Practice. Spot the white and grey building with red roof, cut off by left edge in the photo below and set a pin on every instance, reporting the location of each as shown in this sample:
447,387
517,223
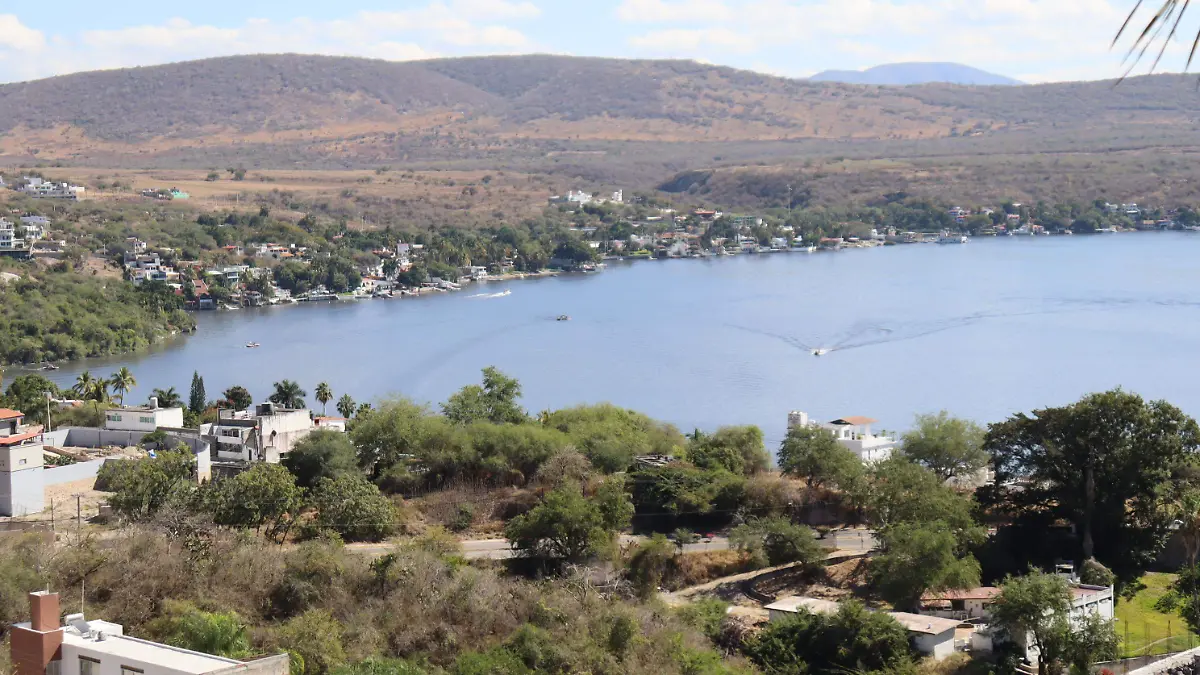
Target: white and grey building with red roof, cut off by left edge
21,465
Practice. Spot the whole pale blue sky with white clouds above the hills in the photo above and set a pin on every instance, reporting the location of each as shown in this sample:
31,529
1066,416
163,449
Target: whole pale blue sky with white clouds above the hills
1031,40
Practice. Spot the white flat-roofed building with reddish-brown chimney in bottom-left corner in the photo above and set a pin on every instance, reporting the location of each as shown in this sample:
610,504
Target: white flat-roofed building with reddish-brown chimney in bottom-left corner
47,646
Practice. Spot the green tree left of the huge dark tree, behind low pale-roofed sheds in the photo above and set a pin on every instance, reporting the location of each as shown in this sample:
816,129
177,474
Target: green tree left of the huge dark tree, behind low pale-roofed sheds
919,558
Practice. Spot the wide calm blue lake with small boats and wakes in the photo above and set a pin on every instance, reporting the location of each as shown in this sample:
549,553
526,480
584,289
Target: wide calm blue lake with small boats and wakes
982,330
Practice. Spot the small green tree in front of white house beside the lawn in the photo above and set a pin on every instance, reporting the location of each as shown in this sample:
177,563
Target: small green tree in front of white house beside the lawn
1035,607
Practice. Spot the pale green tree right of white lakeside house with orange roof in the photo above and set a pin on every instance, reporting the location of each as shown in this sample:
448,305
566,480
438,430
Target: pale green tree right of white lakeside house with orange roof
949,446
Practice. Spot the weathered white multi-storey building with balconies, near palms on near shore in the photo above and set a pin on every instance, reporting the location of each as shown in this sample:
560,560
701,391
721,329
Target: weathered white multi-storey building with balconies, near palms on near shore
266,433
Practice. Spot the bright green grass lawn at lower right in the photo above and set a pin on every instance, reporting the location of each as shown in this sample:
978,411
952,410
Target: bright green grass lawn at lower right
1144,630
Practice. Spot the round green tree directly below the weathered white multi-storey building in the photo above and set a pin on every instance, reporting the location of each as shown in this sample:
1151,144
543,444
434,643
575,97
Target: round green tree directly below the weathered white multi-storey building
266,498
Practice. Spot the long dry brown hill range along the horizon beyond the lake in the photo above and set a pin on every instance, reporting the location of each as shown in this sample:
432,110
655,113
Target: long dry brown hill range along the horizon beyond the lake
597,120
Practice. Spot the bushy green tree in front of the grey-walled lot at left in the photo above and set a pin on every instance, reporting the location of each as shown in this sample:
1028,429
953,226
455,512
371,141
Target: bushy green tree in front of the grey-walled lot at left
141,488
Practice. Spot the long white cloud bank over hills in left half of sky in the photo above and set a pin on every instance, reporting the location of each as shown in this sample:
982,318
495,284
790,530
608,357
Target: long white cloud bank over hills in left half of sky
458,27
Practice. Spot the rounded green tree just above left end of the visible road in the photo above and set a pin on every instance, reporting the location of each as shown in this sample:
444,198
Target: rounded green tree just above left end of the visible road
352,507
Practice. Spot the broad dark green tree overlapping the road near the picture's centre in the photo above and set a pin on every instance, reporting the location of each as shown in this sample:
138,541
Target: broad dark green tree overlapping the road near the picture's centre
568,527
